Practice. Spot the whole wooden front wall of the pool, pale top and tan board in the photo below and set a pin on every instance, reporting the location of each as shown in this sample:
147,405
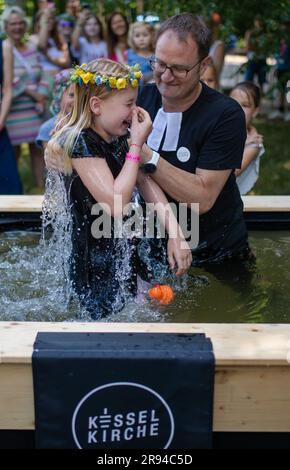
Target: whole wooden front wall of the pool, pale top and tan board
252,378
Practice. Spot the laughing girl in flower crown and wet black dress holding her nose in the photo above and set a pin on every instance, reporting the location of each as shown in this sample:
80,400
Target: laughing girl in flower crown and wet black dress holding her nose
104,168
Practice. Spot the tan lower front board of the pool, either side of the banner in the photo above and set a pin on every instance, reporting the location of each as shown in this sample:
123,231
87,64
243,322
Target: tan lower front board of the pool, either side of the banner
246,399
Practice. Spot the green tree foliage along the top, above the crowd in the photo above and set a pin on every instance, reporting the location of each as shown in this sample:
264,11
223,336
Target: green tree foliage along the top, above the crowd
237,16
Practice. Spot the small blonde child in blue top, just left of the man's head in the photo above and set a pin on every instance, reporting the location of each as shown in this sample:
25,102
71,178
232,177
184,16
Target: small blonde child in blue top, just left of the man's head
141,43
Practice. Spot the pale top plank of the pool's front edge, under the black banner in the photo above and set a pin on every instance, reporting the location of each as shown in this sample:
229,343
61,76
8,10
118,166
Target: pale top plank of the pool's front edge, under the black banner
238,344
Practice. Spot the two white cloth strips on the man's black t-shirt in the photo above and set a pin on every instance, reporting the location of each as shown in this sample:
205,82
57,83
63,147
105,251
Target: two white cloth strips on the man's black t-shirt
172,123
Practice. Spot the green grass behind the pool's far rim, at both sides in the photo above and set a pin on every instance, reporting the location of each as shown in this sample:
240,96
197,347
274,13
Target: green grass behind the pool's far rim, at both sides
275,163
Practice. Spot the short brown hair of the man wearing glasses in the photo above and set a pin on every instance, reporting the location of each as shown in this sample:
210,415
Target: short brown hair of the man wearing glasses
188,24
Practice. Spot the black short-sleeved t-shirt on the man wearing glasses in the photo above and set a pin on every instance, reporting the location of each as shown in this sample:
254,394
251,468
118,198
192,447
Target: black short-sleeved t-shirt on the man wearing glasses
212,135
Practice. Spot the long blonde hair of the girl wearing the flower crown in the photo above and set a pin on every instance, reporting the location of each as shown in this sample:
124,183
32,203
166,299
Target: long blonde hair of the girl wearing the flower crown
81,116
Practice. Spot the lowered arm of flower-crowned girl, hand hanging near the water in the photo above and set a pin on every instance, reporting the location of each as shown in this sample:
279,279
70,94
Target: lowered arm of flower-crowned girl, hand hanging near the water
179,253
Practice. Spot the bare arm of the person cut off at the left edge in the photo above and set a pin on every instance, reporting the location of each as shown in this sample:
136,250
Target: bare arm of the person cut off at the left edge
7,84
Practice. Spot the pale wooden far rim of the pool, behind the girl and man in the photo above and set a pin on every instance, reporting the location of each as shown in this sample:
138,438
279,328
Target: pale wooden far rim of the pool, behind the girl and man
251,203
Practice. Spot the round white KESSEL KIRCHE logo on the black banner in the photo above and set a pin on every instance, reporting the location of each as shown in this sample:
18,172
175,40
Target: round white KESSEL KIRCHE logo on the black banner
122,415
